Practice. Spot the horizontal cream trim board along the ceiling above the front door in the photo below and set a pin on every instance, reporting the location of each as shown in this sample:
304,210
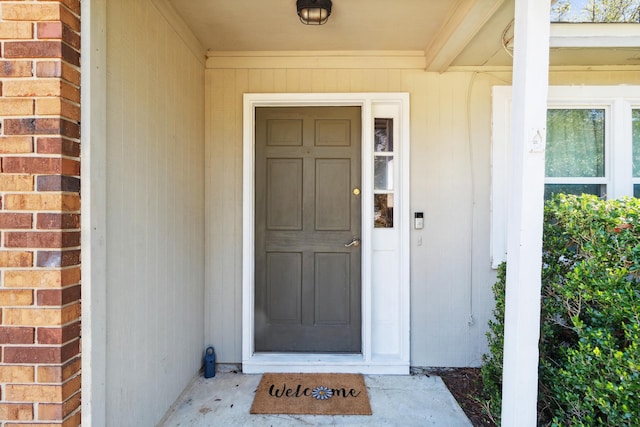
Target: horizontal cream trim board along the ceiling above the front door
316,59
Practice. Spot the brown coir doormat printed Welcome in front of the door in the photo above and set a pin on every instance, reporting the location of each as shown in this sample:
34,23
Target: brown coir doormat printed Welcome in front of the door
314,394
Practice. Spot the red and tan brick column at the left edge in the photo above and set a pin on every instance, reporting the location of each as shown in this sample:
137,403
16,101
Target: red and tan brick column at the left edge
40,212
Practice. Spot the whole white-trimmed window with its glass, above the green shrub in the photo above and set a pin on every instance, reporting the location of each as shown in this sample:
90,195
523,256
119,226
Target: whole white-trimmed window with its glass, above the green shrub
593,147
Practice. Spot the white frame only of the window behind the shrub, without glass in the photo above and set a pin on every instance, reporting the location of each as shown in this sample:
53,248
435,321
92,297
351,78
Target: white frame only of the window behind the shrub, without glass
617,101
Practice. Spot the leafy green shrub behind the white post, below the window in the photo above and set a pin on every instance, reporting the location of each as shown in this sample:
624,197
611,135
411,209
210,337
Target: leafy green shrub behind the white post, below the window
590,319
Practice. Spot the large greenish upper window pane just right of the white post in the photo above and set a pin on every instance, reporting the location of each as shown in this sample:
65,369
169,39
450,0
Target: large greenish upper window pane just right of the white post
575,143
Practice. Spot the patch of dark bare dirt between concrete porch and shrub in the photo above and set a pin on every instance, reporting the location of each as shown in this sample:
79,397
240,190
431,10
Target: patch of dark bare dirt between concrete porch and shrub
466,385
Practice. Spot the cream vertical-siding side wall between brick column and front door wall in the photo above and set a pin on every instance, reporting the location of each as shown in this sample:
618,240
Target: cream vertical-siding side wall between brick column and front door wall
154,288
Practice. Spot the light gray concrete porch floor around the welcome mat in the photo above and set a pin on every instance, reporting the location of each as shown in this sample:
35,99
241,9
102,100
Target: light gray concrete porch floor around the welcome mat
412,400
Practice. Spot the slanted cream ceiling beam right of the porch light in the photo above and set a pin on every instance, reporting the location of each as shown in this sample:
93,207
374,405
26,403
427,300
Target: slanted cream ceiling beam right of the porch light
467,19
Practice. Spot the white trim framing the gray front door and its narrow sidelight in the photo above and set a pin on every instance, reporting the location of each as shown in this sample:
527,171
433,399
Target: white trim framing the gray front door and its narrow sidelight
385,336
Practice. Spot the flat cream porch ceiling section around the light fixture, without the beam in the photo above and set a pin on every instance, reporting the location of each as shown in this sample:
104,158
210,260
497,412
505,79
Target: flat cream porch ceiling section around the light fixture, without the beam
267,25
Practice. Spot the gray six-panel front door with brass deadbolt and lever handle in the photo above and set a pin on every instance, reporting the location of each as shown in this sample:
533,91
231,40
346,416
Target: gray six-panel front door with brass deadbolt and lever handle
307,281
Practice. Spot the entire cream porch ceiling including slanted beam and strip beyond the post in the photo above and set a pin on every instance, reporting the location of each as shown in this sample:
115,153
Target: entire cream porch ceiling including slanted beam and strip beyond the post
450,32
